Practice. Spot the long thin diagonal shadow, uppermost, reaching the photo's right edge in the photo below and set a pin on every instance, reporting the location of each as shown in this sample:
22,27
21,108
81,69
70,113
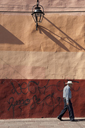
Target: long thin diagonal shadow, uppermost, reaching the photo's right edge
71,41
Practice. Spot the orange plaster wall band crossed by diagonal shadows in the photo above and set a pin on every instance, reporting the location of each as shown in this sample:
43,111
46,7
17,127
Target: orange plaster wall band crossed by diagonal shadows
57,33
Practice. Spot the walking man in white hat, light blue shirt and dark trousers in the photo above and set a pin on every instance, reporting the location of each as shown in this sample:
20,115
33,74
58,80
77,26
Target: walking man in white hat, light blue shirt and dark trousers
67,102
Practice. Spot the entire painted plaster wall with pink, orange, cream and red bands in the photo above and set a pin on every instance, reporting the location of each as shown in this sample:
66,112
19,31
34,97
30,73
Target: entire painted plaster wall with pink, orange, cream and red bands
35,65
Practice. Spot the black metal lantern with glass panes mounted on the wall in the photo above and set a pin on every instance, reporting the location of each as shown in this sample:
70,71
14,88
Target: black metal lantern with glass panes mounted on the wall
37,13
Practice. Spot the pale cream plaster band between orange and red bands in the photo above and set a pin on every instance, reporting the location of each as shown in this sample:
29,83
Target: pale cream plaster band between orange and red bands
42,65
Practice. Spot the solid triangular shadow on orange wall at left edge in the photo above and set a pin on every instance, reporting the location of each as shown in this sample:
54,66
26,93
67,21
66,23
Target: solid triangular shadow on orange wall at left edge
7,37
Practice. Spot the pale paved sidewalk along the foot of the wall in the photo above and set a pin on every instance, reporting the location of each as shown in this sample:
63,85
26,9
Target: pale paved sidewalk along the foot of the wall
42,123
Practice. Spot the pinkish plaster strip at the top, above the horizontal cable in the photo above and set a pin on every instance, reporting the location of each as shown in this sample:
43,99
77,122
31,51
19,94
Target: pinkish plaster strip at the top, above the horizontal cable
49,5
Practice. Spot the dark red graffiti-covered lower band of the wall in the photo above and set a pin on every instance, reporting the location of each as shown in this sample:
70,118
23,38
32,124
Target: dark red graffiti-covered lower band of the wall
38,98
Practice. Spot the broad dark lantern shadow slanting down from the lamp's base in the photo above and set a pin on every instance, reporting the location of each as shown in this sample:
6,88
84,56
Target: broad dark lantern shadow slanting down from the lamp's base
42,29
